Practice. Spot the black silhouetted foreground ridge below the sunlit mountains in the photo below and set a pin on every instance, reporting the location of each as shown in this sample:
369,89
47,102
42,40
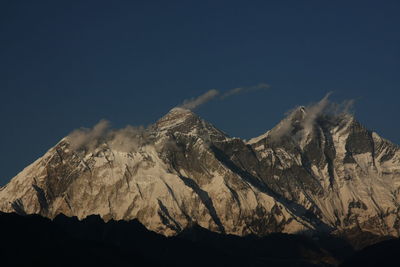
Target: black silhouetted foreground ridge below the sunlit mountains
36,241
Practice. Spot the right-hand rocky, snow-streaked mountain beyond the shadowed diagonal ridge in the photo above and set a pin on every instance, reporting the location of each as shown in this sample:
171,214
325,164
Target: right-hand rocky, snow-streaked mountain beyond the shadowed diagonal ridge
343,173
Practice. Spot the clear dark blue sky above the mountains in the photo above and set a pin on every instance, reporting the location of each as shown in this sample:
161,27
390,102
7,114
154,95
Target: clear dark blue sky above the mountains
67,64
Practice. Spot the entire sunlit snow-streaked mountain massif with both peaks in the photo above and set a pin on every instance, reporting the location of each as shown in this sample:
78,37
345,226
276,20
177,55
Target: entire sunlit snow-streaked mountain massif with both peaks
334,176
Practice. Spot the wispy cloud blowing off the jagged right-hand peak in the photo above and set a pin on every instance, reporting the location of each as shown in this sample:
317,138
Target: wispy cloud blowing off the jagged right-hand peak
307,116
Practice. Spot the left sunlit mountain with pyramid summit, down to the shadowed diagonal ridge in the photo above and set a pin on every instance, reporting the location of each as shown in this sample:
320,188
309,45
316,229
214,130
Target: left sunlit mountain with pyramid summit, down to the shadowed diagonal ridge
168,185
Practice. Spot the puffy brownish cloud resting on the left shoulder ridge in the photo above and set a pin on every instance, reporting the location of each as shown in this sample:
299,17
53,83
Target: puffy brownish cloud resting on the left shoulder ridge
126,139
